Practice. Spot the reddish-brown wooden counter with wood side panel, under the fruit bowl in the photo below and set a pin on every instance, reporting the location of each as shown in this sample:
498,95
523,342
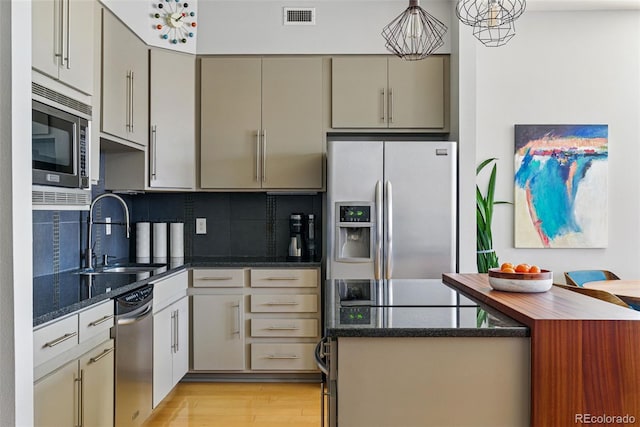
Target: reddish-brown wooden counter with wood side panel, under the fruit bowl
585,353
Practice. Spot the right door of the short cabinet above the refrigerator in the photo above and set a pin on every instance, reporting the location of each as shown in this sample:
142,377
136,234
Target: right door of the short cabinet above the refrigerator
417,93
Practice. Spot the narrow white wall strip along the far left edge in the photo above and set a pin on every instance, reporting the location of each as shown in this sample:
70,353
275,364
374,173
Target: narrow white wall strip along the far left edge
16,320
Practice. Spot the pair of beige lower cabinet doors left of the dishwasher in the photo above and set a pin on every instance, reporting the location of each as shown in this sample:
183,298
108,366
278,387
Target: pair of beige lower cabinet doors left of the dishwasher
80,393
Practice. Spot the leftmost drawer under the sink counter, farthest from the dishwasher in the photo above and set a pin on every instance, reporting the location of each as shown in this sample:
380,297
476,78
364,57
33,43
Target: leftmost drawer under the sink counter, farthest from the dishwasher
55,339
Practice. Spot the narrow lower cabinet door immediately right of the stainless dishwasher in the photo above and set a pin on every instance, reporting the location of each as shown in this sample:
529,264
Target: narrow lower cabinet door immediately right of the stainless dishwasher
163,333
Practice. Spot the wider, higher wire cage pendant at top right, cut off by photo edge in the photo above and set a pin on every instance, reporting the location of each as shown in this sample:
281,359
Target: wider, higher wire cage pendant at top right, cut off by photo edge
483,12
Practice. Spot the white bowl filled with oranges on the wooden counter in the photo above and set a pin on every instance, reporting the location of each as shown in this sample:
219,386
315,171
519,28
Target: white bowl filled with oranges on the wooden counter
520,278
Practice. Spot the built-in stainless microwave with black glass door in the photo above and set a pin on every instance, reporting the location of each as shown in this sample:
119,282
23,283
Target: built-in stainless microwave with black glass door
59,146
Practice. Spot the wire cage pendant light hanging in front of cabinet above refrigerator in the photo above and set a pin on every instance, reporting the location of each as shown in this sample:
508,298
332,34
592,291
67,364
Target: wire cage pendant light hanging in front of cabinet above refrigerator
414,34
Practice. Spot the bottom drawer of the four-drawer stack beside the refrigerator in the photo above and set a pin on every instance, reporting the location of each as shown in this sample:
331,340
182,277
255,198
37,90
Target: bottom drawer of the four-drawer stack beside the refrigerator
282,357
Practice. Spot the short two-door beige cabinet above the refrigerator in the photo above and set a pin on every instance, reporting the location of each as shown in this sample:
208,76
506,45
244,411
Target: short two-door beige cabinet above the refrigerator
387,92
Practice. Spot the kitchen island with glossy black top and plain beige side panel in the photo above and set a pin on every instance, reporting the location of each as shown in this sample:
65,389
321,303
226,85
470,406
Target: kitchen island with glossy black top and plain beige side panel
412,353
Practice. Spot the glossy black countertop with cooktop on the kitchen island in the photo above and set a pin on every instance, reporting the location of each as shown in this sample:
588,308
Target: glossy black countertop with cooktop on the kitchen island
409,308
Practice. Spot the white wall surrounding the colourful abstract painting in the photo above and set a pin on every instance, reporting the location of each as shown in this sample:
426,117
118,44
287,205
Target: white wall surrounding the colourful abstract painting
566,68
